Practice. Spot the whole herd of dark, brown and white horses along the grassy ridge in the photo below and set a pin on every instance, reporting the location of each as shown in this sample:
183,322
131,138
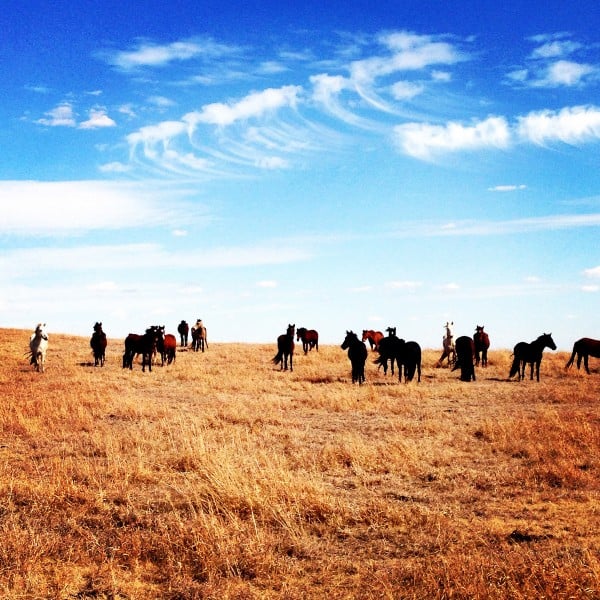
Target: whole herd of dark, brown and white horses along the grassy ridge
464,353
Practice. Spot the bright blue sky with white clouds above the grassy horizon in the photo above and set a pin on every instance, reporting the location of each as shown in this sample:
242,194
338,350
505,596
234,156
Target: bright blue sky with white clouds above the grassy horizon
333,165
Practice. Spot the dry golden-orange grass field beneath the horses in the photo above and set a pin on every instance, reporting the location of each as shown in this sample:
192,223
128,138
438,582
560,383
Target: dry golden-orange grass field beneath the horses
221,477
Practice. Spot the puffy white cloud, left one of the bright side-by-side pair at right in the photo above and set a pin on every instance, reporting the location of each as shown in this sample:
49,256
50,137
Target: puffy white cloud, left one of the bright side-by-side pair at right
424,141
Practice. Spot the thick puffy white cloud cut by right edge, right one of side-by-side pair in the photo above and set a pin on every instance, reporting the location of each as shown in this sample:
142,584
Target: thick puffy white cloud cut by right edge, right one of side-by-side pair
571,125
